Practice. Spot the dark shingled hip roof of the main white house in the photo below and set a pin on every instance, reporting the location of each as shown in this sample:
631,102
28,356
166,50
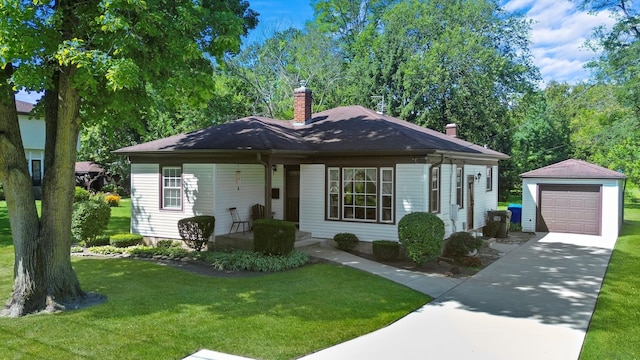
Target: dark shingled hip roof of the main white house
339,130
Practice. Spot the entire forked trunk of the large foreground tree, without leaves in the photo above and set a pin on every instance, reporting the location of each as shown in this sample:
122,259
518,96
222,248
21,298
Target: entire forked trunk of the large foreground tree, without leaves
44,279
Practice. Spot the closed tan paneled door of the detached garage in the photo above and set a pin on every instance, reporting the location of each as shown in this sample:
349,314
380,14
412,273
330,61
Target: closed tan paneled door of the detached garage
570,209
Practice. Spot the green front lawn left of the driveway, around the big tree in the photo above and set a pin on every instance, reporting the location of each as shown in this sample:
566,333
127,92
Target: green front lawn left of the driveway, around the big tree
157,312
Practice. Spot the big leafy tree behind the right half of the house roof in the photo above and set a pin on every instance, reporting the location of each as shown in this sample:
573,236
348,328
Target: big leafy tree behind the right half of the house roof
441,62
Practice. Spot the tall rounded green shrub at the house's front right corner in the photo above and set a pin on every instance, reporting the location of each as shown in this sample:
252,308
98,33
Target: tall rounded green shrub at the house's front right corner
421,233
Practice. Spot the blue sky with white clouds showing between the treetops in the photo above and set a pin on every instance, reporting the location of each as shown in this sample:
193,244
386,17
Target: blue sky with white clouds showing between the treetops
557,35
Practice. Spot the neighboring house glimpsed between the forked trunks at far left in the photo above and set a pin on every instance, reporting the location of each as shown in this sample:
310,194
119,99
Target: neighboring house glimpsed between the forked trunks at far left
33,136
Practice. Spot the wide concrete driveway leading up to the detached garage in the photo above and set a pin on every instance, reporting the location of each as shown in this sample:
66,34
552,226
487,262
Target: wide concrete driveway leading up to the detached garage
534,303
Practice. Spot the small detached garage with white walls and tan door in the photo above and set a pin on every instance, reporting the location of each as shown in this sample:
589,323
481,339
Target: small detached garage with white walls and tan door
573,196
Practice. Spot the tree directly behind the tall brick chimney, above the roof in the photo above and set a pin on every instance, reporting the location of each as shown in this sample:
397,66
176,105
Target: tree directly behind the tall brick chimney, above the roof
272,69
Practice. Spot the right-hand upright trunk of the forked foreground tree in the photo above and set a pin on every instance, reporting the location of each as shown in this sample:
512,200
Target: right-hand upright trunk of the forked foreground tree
62,117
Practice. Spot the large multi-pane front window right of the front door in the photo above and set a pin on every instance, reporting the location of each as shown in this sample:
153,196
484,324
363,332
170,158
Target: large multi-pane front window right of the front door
360,194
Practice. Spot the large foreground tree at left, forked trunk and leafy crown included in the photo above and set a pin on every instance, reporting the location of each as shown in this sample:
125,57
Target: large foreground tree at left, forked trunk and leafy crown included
93,60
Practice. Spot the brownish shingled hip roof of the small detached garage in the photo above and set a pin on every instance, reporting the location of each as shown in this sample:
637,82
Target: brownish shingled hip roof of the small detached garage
573,169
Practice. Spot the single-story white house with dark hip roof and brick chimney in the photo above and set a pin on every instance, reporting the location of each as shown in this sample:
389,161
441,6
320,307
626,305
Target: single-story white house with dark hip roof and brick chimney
348,169
